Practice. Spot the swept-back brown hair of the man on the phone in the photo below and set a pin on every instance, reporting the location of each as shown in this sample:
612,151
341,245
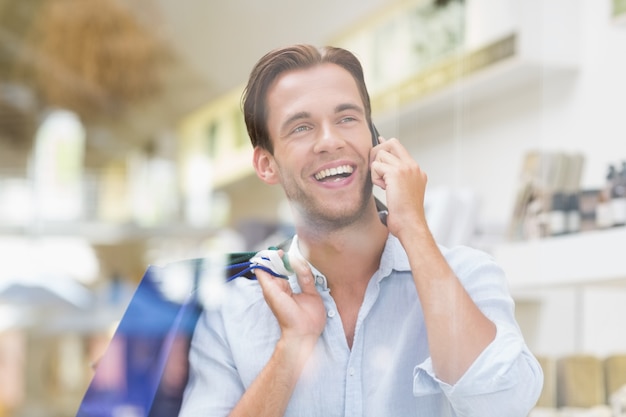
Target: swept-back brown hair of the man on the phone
290,58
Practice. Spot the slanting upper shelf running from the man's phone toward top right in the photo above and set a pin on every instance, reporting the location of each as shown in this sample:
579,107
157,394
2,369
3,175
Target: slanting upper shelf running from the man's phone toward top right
488,72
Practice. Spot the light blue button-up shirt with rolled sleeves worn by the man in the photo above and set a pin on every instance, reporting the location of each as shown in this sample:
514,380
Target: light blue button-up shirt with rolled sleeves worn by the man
388,371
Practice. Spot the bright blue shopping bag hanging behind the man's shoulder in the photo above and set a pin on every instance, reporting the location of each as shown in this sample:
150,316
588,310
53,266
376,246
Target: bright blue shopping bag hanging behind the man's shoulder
143,371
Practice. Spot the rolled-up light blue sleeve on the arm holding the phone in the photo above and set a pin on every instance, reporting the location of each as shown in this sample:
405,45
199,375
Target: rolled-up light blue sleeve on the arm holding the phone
505,379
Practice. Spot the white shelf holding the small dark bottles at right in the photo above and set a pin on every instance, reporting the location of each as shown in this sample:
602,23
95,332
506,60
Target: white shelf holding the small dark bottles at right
589,258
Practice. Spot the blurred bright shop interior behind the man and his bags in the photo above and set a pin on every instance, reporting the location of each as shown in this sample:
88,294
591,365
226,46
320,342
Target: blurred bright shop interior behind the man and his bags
122,145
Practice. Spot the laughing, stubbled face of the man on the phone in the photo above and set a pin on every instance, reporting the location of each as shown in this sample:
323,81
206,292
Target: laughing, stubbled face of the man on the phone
322,140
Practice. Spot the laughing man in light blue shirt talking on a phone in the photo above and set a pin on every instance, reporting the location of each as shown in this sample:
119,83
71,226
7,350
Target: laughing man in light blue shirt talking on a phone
378,319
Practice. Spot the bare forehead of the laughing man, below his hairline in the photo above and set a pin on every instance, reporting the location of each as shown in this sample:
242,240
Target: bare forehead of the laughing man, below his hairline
309,88
